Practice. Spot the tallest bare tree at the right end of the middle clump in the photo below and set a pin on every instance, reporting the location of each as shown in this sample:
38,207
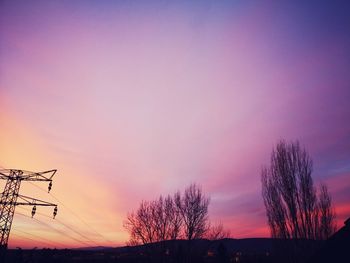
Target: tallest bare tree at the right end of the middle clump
194,210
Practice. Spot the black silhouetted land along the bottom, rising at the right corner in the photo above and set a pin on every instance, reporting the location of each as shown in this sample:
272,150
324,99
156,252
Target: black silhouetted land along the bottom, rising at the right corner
335,249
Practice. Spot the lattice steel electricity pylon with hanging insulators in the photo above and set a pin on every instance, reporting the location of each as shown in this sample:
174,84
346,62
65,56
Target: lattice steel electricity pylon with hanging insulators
9,197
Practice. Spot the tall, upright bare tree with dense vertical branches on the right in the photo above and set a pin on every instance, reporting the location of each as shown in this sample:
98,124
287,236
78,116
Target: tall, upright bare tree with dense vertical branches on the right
293,209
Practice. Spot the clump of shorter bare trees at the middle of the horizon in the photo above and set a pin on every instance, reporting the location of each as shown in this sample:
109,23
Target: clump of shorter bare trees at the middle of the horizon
166,218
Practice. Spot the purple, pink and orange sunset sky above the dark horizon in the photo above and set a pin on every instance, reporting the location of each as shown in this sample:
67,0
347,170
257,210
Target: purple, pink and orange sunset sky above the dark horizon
129,100
